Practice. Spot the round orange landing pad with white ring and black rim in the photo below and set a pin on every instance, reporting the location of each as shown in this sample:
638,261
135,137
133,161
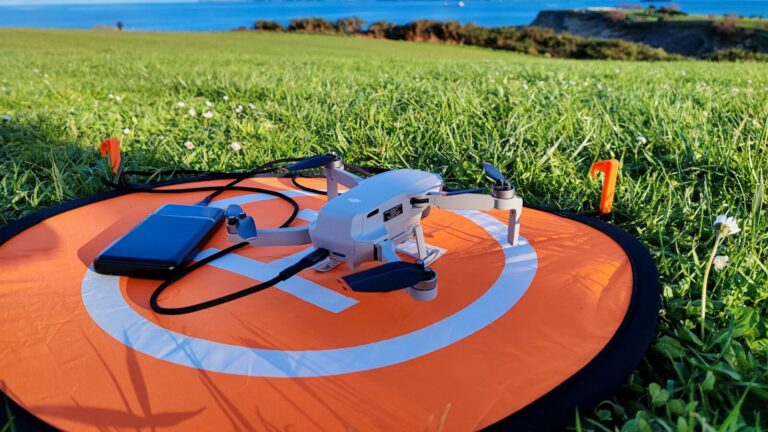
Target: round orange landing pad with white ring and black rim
517,337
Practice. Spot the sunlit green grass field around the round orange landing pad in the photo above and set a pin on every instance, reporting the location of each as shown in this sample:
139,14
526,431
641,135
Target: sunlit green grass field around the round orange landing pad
444,108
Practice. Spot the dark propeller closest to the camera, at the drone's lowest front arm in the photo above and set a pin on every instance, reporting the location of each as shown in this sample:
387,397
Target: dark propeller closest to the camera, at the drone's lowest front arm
389,277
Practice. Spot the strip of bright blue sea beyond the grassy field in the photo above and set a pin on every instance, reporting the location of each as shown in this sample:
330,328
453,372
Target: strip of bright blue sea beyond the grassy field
222,16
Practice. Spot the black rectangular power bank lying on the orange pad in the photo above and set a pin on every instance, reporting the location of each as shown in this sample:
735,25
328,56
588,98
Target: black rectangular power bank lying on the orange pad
158,246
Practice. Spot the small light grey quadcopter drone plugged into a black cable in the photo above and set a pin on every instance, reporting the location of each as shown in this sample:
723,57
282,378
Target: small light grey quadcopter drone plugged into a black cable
367,223
